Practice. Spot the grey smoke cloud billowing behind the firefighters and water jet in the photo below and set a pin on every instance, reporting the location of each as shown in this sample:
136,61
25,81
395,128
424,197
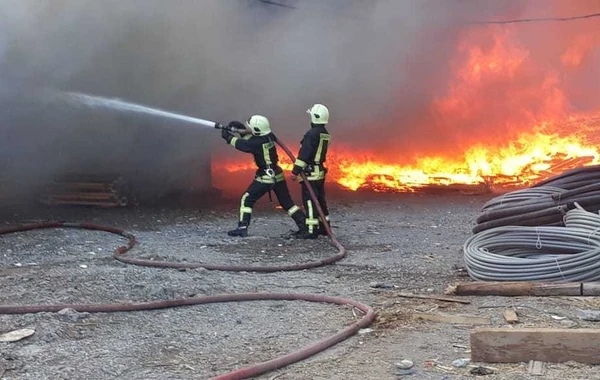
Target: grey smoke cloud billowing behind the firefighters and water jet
378,66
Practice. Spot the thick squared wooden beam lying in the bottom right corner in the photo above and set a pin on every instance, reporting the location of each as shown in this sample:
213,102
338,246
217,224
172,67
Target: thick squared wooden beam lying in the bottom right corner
501,345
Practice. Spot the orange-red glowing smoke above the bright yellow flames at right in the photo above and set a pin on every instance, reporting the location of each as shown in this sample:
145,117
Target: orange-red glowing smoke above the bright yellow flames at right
505,79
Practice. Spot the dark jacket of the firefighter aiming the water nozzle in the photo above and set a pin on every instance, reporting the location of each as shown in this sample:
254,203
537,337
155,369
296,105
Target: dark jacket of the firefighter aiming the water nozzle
265,155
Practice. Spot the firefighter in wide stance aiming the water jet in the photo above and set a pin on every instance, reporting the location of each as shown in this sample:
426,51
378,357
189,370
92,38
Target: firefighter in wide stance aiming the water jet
255,137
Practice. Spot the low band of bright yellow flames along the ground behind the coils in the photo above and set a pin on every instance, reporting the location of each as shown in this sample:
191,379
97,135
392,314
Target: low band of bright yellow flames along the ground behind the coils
532,157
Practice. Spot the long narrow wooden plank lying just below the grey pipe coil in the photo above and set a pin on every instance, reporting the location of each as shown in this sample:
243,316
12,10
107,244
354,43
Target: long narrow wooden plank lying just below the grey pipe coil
515,289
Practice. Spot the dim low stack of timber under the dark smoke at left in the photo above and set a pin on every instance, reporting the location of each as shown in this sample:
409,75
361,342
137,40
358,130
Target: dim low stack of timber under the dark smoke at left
88,190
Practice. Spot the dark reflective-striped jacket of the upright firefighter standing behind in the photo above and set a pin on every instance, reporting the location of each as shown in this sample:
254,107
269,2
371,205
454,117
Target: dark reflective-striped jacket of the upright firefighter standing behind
313,153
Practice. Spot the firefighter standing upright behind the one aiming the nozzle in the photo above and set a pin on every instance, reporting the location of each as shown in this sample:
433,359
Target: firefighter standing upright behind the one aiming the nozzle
310,160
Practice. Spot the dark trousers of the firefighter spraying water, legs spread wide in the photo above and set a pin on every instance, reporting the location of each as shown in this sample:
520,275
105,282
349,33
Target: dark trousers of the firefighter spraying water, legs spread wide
258,189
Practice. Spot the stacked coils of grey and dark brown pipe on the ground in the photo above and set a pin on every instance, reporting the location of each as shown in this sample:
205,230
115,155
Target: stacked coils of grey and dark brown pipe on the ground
549,232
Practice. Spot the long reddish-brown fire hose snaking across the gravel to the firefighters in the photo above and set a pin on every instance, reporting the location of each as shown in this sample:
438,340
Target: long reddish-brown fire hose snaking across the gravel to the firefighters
245,372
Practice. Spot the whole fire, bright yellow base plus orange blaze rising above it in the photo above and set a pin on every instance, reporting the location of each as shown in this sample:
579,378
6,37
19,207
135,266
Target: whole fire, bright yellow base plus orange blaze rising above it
508,111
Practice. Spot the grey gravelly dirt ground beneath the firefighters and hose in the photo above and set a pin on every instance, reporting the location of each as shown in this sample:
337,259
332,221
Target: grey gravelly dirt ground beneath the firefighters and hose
411,243
